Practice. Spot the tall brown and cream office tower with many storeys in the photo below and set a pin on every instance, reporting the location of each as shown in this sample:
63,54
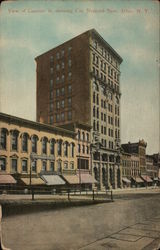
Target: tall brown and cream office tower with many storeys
79,81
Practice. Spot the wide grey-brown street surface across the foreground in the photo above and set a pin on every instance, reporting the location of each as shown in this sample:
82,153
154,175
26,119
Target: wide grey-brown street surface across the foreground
90,227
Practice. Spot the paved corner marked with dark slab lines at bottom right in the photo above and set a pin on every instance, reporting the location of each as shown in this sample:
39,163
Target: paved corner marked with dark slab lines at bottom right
141,236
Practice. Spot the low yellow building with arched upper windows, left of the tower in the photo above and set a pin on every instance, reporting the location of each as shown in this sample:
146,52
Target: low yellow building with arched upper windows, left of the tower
36,149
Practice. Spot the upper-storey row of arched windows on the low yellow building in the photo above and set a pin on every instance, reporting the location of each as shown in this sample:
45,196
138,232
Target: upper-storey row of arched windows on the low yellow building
65,146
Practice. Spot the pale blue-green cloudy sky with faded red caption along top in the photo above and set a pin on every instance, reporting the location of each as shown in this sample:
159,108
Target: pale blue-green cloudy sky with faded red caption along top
131,27
